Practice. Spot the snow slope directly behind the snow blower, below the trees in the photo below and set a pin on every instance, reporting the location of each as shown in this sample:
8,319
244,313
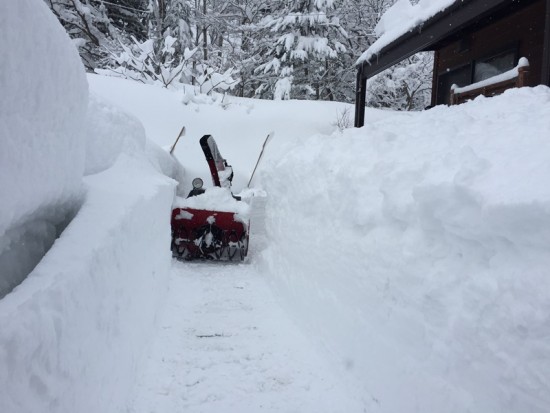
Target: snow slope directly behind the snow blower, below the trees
239,125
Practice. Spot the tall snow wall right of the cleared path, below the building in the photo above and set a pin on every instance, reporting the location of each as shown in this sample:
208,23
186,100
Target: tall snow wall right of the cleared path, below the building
417,250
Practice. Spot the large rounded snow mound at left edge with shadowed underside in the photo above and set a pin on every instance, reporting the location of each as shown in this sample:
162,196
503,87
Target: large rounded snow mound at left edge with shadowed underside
42,110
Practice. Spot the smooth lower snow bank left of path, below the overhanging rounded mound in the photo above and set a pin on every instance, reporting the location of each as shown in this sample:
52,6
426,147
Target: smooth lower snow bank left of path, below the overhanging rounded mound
73,333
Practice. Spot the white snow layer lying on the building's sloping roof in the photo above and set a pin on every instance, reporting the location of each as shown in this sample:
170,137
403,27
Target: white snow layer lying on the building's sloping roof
401,18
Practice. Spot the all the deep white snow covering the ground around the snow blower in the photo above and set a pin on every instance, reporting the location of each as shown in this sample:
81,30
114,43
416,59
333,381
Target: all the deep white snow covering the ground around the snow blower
413,253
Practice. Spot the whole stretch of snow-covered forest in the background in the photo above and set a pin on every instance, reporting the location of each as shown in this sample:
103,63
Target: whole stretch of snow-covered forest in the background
303,49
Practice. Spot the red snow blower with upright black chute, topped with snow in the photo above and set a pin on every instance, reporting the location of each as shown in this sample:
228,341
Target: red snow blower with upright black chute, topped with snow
211,224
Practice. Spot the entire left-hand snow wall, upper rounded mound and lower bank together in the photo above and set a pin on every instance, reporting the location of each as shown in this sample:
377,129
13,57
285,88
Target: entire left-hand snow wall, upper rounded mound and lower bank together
73,332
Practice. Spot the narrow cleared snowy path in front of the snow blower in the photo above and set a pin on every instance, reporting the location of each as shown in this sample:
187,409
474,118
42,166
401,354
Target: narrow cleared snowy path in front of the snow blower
226,345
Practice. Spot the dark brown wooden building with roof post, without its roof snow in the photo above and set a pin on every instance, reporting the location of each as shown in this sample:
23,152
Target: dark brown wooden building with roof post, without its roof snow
473,40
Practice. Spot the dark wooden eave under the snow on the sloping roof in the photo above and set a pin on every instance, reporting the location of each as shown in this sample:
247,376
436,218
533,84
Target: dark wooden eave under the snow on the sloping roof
443,28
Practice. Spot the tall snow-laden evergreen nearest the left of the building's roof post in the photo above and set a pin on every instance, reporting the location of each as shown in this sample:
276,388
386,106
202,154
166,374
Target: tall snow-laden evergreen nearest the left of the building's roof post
307,42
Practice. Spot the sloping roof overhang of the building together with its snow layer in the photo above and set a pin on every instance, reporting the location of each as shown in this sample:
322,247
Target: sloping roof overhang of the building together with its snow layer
406,29
